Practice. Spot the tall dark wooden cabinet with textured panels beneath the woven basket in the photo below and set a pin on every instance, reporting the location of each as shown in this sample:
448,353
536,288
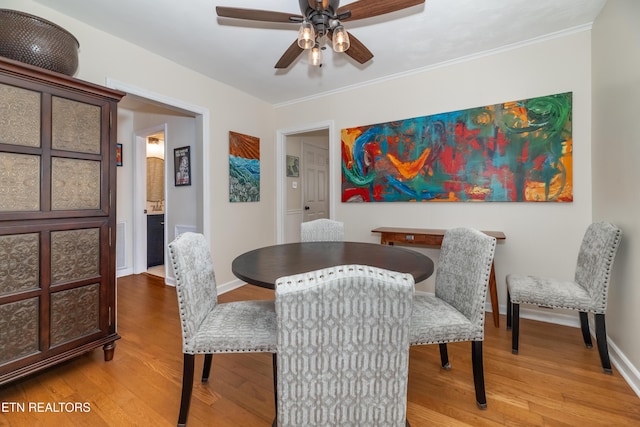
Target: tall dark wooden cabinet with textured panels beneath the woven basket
57,218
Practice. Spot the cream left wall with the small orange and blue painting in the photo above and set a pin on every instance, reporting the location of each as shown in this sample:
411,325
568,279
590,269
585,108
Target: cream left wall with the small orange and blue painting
233,228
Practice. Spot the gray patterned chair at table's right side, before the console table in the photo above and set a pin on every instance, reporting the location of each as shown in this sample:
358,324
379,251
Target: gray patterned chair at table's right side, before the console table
456,311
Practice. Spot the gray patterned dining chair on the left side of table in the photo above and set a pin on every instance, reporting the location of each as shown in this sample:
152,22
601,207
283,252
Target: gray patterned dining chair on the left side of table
207,326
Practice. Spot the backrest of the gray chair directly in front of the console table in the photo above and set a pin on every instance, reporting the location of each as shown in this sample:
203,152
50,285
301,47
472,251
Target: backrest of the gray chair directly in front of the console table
463,272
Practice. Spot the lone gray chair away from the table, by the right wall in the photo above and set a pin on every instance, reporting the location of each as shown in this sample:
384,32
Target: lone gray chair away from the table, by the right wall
587,293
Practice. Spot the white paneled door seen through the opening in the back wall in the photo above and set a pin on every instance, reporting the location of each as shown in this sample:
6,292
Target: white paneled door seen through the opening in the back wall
315,164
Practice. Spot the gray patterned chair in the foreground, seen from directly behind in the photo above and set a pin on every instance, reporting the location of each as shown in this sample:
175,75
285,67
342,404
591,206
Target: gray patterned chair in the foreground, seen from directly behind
343,347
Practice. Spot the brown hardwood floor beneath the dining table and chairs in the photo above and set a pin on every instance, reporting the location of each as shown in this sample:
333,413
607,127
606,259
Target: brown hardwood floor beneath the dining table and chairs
554,381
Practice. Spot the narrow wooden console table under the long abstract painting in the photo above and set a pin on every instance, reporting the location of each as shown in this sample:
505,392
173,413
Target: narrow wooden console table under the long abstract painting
433,237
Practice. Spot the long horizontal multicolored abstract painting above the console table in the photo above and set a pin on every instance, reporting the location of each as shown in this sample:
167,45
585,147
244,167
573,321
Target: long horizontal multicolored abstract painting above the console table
519,151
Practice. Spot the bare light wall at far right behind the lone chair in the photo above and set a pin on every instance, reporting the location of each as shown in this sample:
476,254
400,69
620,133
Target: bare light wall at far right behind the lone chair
616,152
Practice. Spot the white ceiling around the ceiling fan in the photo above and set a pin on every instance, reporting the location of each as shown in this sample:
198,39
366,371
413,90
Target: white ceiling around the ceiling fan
242,54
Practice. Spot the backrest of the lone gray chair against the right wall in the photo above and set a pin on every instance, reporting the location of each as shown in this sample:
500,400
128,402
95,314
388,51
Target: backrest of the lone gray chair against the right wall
595,260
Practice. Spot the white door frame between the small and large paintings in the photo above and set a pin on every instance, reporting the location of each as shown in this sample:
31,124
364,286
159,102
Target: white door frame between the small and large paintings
281,180
